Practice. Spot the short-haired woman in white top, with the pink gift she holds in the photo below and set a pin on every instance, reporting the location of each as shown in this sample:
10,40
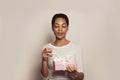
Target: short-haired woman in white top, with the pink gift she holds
61,59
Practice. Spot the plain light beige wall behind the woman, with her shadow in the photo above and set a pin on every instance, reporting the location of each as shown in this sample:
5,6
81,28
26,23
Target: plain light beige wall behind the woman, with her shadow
25,26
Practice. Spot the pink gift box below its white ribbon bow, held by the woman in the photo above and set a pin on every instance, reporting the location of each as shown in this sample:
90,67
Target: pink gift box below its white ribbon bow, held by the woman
62,66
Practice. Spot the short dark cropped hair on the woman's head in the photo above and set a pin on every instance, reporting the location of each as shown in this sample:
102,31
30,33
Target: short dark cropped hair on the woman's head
60,15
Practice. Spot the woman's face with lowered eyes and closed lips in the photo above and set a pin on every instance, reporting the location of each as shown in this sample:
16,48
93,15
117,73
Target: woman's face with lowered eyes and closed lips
60,28
